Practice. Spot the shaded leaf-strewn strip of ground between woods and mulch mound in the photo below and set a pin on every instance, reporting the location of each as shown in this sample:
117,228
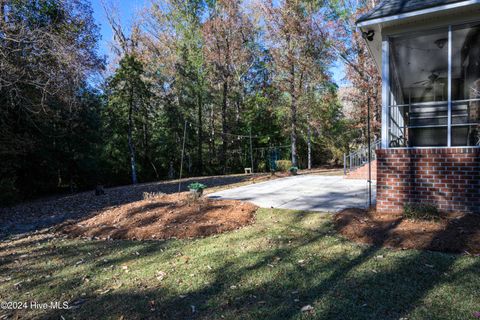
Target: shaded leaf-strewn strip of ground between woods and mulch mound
48,212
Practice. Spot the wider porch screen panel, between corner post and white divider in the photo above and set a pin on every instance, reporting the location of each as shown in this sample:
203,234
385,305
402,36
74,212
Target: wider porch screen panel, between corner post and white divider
418,107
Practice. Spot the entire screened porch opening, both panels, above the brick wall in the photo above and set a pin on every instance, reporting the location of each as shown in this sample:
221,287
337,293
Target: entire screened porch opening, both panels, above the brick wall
434,81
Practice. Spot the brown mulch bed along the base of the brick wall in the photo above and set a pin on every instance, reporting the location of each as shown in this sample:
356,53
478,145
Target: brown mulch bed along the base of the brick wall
458,233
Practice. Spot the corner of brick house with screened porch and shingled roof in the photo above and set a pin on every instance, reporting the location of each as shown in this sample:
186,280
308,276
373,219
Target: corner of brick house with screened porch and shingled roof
428,52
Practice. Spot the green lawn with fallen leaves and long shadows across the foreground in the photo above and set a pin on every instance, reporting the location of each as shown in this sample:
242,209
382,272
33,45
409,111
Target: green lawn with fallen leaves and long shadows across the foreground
269,270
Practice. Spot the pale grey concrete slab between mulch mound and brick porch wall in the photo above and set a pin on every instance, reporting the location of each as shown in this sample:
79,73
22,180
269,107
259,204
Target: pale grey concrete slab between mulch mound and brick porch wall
304,192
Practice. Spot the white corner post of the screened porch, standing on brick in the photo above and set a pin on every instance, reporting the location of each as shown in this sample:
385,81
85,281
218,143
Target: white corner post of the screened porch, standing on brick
385,91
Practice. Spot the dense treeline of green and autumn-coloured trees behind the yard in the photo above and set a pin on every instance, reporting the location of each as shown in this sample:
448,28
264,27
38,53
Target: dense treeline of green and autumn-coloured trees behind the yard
229,82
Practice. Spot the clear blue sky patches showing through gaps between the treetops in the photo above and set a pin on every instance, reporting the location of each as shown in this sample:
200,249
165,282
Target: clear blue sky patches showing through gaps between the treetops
127,10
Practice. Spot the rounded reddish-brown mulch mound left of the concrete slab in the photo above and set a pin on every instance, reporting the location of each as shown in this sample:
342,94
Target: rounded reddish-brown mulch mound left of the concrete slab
164,217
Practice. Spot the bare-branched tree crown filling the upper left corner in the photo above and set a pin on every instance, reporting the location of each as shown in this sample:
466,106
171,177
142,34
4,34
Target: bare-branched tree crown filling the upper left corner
42,64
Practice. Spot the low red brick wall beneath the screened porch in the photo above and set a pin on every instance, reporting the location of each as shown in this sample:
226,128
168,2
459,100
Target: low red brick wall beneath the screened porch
446,177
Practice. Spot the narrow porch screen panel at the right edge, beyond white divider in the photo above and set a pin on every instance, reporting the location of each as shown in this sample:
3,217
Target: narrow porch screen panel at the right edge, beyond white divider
466,85
